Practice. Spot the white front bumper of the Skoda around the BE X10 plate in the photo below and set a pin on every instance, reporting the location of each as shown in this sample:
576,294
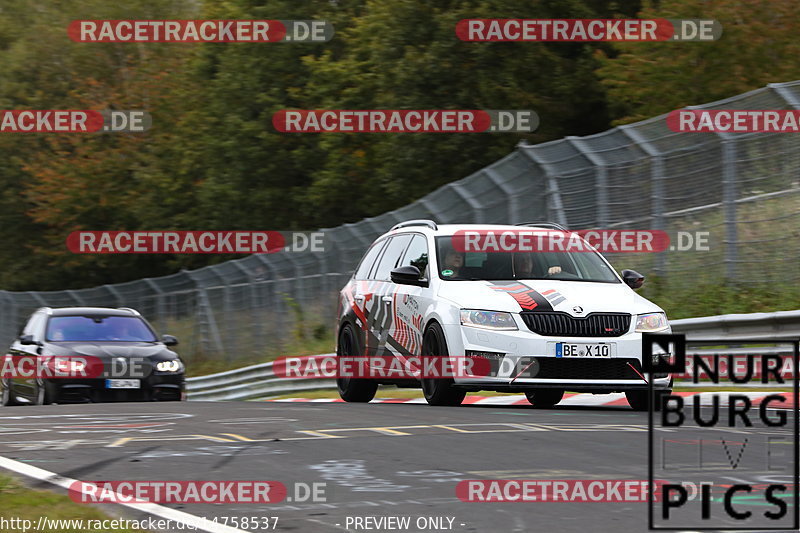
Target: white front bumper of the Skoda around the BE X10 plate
511,351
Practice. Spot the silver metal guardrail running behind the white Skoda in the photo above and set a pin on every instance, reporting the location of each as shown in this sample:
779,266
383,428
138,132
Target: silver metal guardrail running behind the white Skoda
260,381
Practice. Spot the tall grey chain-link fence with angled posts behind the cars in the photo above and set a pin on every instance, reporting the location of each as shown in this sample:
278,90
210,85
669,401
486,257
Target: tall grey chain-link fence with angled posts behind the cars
744,189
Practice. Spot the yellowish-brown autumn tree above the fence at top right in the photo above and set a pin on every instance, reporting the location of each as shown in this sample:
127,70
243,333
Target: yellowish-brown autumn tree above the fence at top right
759,45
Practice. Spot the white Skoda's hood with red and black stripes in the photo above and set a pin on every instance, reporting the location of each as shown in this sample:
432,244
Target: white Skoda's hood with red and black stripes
545,295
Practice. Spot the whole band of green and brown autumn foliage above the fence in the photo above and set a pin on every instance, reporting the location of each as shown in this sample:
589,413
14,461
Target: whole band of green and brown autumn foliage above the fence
212,159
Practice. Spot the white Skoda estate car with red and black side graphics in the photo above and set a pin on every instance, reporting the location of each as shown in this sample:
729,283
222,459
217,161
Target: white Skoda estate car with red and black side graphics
546,321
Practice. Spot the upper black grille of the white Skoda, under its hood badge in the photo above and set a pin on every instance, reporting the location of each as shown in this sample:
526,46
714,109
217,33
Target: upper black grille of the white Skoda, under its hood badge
592,325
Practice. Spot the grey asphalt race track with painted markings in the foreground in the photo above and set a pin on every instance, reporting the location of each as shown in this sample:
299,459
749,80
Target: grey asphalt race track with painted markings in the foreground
375,460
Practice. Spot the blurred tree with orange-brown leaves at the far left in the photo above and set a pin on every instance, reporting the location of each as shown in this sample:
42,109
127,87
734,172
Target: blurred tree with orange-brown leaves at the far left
53,184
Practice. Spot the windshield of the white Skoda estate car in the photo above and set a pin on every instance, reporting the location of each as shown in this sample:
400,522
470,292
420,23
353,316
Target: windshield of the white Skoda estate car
568,266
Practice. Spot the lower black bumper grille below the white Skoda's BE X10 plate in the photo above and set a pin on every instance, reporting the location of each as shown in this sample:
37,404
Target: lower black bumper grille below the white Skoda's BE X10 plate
583,368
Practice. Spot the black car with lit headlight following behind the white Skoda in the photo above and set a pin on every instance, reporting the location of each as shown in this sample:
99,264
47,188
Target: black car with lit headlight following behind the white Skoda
90,354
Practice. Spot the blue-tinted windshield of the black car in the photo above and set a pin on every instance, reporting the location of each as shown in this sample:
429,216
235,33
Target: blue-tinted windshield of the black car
98,328
